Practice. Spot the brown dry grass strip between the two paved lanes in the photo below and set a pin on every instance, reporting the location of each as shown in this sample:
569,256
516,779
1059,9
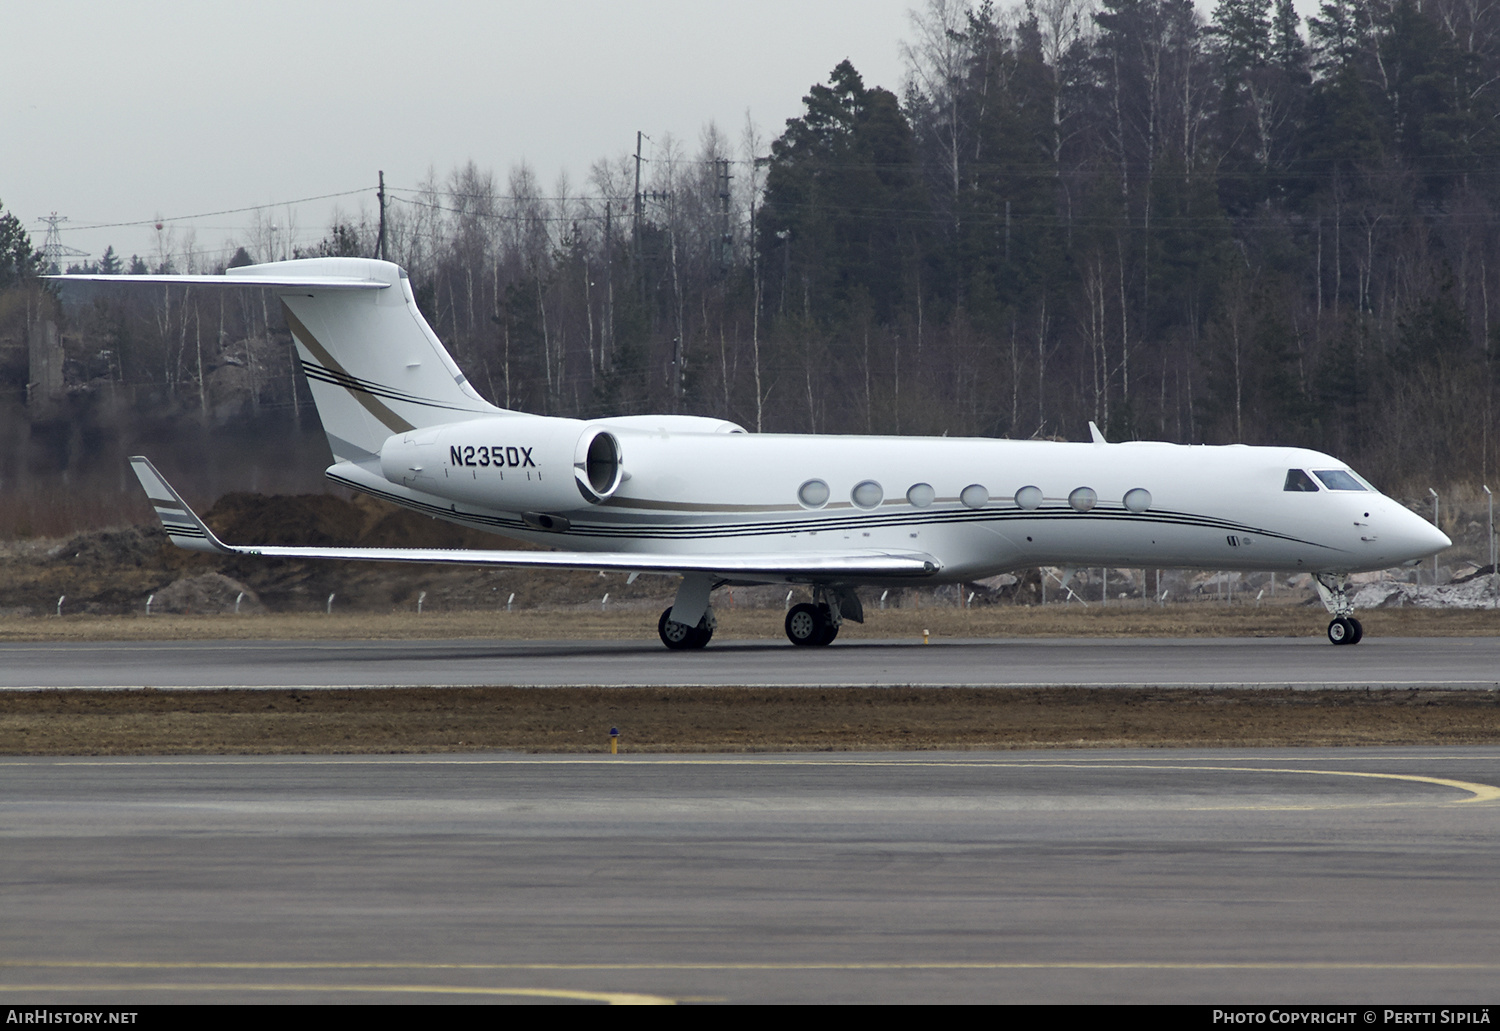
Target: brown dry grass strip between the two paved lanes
730,720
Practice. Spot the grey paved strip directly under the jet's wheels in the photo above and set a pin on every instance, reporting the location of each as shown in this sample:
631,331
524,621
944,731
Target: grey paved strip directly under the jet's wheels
1226,663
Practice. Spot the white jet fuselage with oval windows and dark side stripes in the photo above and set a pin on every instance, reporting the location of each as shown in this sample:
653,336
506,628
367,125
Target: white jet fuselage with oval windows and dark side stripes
980,506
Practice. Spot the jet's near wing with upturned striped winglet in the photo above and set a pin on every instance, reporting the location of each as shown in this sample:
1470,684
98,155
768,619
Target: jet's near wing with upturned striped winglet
187,531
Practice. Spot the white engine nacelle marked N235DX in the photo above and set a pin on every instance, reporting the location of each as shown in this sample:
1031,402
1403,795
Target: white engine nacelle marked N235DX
512,463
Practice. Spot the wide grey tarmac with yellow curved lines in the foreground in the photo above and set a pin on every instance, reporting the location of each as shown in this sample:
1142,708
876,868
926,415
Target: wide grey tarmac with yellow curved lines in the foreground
1355,876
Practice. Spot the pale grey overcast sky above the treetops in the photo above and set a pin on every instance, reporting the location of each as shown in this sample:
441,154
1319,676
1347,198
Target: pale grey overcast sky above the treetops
127,112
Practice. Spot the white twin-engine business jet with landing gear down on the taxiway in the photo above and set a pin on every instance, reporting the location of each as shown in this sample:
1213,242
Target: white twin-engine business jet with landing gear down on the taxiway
706,500
